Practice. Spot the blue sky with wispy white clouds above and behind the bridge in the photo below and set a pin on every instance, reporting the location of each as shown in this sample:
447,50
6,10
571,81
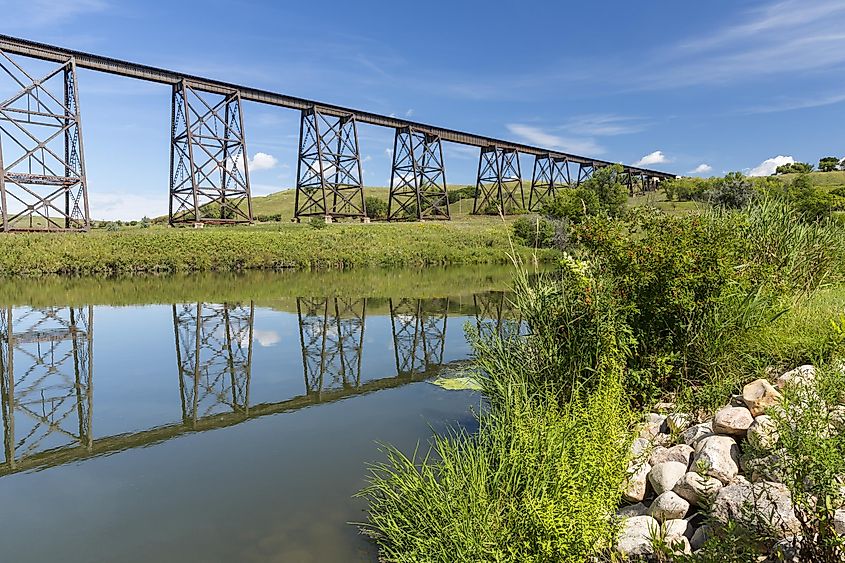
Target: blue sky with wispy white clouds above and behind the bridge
678,86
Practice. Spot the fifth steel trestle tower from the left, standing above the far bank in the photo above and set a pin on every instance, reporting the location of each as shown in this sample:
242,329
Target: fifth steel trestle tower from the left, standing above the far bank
499,184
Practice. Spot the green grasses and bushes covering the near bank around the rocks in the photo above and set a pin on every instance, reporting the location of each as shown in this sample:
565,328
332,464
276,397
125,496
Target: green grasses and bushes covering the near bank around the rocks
645,307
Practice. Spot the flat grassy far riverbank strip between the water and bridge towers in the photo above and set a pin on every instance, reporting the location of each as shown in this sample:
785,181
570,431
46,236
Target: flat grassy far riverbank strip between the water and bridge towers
267,247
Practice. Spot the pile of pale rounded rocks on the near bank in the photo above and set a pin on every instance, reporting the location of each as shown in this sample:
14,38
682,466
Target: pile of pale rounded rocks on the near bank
682,471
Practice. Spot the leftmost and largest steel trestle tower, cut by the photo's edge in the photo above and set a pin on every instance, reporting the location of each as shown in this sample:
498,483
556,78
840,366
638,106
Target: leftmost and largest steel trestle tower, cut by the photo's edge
43,186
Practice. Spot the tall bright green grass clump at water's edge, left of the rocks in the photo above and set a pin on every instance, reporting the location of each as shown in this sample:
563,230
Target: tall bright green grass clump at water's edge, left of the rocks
539,479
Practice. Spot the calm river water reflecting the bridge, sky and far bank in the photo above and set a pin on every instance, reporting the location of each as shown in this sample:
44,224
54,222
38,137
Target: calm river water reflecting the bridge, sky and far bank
220,418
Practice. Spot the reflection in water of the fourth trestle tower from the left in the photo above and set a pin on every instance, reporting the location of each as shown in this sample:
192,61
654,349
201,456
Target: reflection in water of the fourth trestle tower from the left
419,333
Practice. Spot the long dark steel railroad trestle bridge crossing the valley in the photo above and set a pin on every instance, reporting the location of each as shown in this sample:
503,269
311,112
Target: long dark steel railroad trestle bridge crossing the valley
44,186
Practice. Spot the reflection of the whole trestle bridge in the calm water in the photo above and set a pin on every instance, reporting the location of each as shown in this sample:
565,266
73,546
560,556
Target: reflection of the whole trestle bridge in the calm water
46,365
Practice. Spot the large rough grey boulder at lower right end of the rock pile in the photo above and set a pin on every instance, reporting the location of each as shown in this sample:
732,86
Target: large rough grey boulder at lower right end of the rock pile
758,506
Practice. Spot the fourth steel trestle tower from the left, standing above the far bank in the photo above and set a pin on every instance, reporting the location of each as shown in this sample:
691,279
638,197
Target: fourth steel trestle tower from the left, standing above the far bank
418,178
